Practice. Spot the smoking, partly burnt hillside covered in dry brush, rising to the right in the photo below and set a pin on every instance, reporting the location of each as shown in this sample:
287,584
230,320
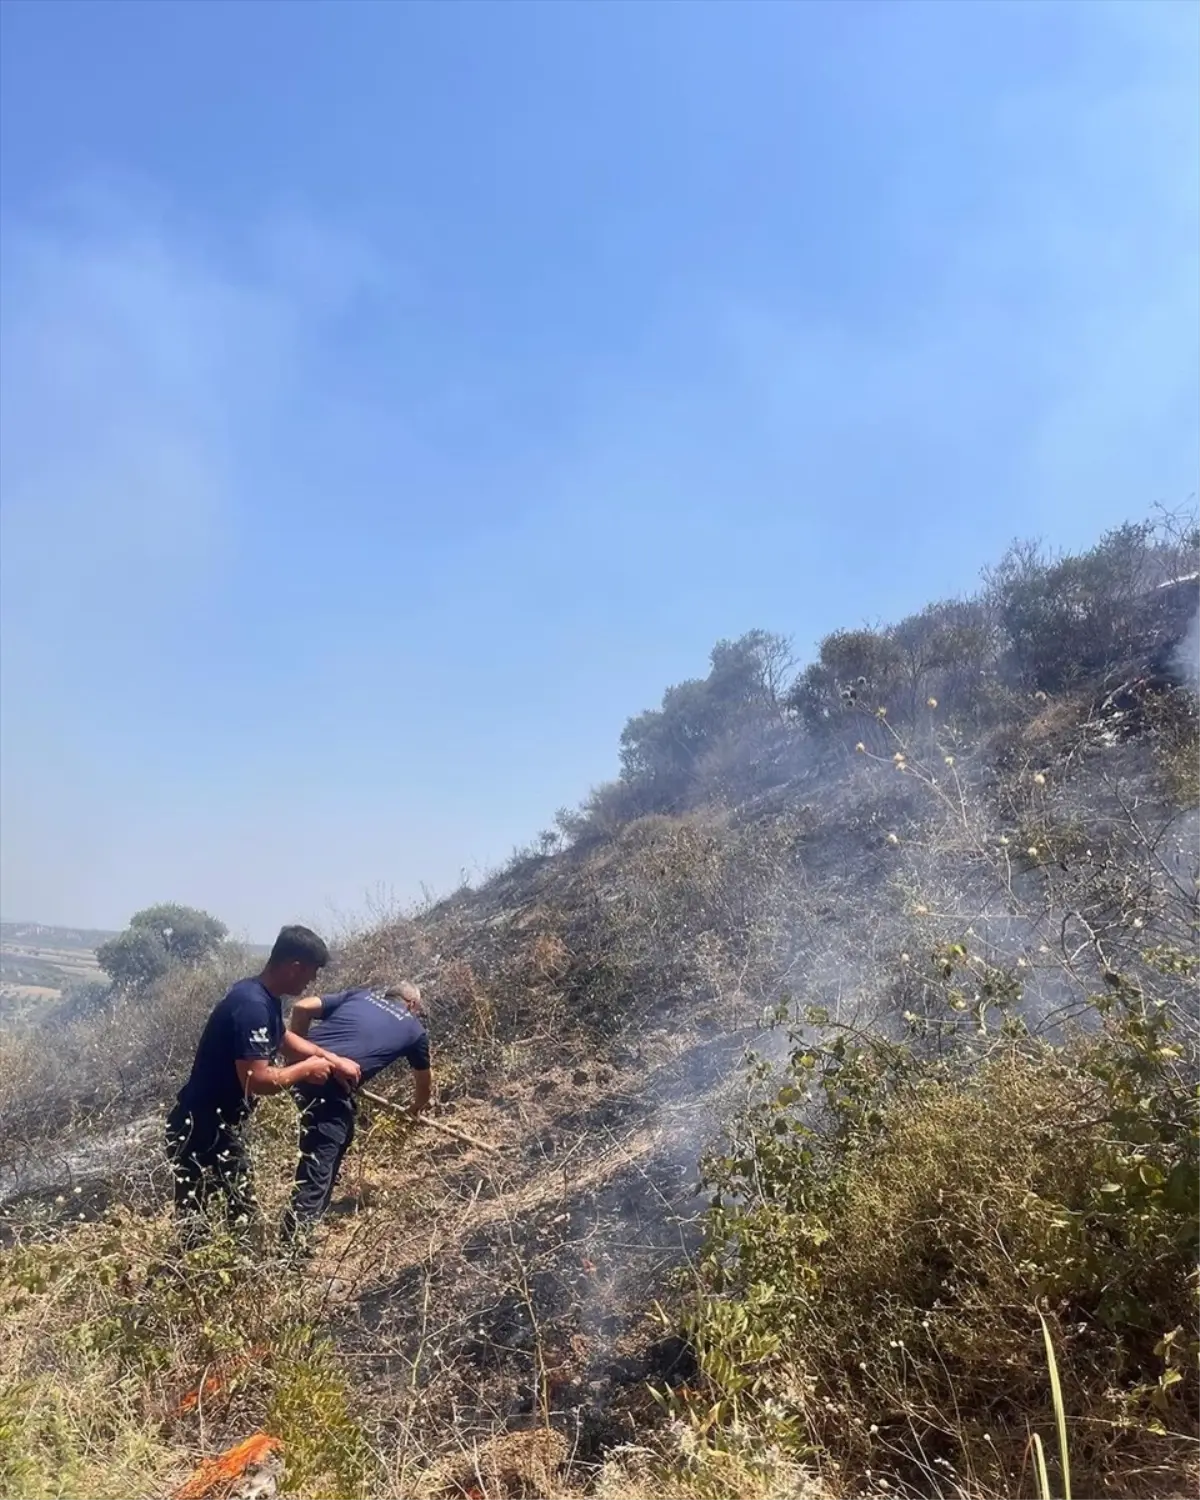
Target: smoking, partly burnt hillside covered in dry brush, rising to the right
944,845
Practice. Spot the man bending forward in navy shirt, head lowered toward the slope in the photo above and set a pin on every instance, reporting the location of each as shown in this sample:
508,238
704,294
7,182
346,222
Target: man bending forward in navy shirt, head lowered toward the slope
374,1028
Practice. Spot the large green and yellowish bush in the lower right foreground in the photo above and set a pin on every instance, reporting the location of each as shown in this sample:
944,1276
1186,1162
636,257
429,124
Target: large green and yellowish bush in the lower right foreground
889,1226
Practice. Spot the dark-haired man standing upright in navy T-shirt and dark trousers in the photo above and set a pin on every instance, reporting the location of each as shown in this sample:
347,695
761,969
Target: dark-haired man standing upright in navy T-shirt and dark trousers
235,1066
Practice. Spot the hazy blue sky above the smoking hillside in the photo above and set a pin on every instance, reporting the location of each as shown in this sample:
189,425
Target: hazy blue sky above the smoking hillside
400,397
